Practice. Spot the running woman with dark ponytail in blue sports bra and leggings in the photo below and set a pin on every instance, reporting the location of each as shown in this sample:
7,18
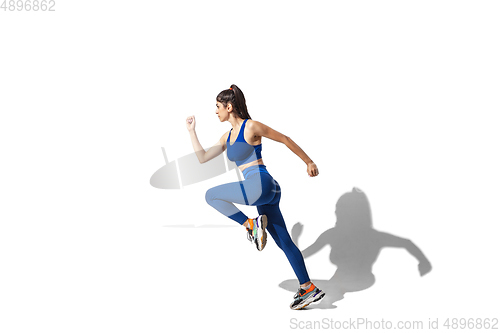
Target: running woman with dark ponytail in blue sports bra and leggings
243,144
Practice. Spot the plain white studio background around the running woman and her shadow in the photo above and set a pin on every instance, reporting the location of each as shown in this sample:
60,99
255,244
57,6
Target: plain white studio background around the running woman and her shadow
397,98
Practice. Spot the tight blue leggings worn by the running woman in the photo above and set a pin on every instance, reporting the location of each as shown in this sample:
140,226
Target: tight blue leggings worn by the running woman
261,190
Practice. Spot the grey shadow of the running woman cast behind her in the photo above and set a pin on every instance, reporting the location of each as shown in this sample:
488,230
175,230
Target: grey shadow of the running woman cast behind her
355,248
